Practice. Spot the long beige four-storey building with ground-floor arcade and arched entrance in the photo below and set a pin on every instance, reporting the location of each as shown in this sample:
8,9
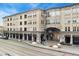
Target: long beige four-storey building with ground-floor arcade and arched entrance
60,24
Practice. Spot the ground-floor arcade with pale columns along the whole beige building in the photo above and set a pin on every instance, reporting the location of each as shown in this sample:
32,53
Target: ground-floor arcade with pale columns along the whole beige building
66,37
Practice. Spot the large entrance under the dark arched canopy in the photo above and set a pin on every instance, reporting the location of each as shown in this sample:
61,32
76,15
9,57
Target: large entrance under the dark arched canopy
52,34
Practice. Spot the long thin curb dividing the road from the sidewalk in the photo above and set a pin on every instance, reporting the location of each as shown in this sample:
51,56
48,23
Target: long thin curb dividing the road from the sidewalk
48,48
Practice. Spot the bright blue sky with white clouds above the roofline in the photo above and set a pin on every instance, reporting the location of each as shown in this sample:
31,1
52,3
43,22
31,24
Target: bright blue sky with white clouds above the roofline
13,8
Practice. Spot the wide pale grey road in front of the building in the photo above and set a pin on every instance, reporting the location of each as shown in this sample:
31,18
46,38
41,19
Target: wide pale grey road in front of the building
15,48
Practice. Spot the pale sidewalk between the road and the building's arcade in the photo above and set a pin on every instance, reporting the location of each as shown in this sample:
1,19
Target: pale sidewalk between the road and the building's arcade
64,48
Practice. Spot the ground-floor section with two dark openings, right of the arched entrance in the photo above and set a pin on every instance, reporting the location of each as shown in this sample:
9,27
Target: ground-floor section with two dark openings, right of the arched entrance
70,38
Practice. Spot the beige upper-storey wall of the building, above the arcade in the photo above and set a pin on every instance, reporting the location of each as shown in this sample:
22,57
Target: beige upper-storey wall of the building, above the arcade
62,18
